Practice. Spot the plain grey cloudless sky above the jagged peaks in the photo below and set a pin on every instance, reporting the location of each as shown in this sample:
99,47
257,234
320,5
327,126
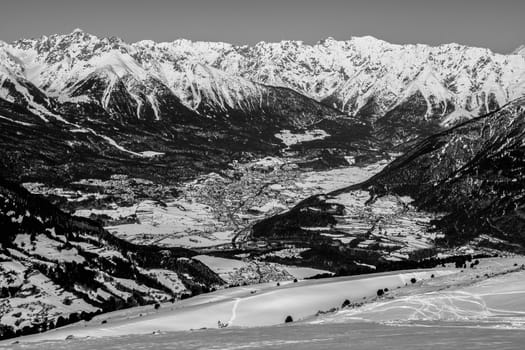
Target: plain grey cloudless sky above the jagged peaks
497,24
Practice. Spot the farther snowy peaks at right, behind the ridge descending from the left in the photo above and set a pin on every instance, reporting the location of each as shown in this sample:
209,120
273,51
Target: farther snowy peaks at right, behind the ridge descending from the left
364,73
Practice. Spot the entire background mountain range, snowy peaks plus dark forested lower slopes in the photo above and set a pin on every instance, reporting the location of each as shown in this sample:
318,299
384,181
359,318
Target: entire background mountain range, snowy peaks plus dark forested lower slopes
184,100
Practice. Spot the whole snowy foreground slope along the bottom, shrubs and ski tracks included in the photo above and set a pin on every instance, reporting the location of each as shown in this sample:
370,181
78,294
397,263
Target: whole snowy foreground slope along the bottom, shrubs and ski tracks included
440,307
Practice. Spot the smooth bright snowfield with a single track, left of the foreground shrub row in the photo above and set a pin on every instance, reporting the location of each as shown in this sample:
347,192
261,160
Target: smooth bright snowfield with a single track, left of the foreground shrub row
251,306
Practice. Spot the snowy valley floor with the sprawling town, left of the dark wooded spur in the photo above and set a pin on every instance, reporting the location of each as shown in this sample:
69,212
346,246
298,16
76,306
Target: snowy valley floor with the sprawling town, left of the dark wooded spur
211,210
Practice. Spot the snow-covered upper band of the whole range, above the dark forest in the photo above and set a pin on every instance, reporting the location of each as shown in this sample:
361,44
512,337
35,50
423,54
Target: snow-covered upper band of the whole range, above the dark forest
361,76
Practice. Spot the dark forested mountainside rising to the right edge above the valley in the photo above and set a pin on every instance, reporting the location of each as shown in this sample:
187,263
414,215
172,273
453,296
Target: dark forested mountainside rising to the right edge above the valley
474,171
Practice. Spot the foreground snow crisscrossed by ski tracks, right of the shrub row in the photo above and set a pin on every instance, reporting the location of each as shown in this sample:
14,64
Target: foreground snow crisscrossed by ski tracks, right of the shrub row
497,302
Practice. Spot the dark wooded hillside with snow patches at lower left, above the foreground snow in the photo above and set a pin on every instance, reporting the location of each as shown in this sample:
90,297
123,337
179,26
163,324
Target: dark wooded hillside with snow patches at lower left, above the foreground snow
57,268
